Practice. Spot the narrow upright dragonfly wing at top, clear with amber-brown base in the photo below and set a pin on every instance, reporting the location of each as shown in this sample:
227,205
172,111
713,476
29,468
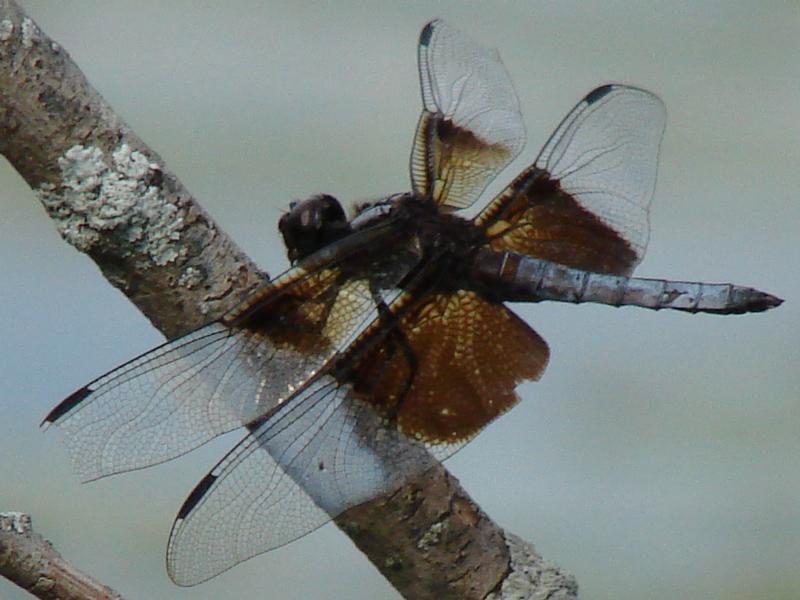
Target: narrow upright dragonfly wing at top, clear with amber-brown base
471,126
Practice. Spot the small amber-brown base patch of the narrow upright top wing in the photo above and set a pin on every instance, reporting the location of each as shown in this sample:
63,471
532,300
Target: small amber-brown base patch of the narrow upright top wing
452,165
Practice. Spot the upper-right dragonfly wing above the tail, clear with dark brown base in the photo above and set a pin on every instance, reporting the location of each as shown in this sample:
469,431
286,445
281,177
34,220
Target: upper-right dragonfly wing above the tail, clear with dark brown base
585,201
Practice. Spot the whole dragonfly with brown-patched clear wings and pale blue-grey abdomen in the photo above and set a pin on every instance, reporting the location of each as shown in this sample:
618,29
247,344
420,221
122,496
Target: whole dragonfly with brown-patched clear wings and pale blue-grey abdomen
387,346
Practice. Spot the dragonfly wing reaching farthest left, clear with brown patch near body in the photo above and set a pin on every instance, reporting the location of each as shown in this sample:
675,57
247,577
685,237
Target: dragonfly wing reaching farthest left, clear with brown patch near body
220,377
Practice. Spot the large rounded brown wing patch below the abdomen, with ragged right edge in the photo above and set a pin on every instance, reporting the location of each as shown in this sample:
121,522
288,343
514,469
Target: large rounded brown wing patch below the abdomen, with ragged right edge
450,367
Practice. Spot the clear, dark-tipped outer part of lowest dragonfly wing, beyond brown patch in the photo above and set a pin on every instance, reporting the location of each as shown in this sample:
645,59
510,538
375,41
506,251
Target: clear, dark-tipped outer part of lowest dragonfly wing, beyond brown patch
316,456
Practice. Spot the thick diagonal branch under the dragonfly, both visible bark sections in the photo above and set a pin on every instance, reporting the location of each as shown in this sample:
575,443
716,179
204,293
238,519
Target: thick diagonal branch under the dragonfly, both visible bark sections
112,197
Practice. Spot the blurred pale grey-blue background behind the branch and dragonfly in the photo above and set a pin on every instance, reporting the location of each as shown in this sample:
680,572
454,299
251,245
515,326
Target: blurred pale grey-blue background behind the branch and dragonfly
658,458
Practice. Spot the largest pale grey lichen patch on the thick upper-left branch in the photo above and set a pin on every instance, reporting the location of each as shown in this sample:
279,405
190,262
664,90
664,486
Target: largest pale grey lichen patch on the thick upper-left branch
99,195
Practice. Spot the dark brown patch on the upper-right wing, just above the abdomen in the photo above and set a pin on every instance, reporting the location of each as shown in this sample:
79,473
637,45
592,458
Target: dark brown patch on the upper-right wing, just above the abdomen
534,216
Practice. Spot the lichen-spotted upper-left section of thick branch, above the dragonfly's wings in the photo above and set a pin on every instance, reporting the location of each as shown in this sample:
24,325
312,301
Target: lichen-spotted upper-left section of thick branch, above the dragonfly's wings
110,195
